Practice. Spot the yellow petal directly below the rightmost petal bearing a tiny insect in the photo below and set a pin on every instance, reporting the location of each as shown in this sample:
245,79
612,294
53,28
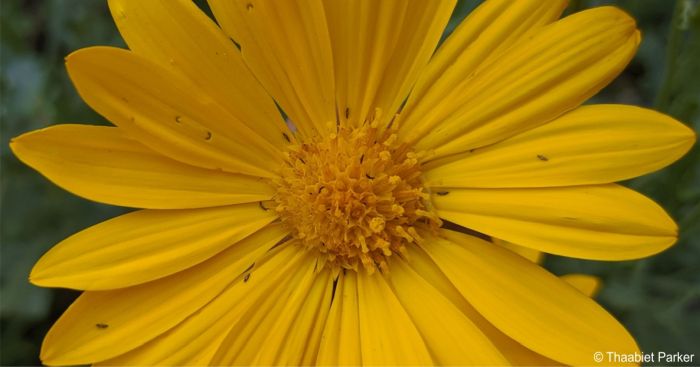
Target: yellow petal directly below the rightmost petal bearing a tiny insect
605,222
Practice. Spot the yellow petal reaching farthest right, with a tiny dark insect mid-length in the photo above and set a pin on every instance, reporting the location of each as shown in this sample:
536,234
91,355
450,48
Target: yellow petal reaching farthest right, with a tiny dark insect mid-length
590,145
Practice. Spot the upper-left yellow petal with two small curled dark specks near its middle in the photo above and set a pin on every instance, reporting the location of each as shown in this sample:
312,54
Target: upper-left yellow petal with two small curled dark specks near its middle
168,114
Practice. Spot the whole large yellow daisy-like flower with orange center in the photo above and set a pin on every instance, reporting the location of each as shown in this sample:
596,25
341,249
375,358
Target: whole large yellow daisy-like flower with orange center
325,240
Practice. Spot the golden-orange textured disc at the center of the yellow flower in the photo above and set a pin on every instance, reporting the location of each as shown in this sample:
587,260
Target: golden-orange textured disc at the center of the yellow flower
355,196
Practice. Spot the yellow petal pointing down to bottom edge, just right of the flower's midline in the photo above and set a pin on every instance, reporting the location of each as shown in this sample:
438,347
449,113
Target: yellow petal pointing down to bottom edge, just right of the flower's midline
387,333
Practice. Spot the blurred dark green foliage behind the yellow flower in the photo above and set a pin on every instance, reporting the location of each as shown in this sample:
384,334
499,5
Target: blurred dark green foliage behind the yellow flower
658,298
